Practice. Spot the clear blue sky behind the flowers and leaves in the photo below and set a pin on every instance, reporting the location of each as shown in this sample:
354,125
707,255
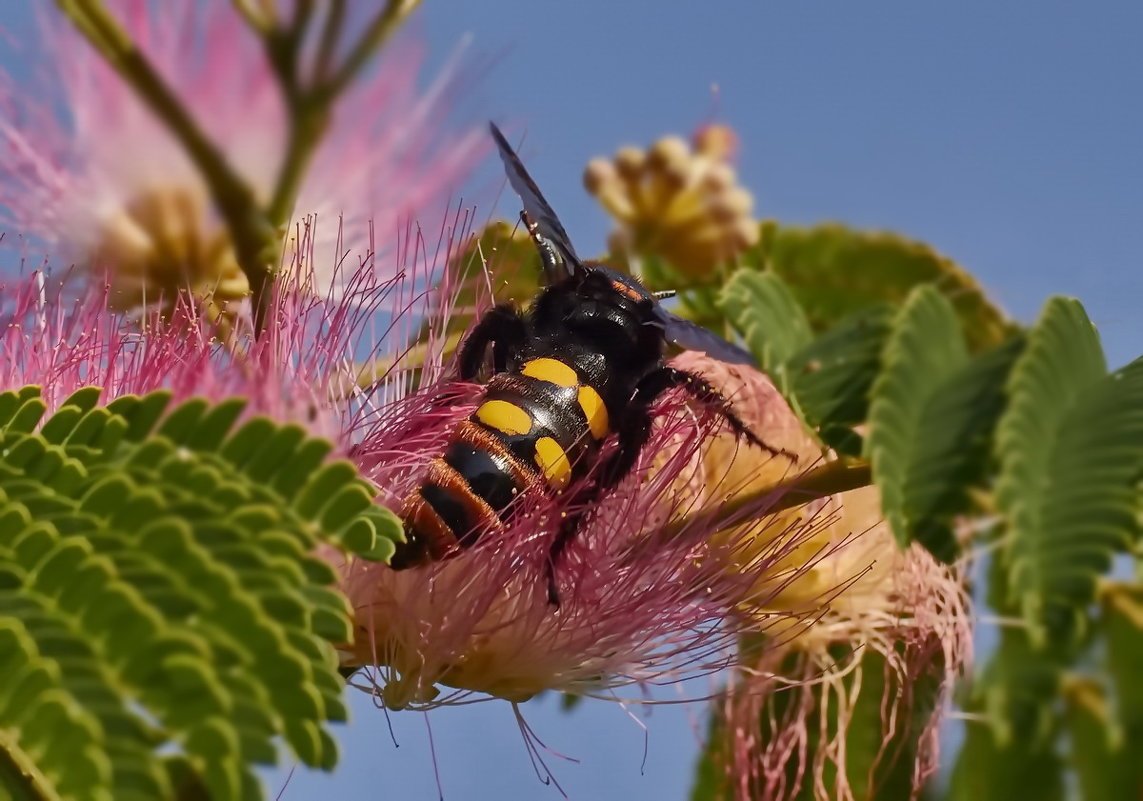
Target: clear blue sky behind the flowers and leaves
1009,135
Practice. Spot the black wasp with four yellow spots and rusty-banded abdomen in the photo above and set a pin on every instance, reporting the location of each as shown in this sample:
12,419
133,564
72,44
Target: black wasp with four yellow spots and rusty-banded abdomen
582,365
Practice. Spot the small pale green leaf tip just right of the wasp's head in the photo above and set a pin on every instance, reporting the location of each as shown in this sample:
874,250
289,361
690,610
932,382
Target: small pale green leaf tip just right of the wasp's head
762,308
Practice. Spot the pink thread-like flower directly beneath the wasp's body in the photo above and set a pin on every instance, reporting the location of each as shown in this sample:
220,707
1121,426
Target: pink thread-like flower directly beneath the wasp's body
645,597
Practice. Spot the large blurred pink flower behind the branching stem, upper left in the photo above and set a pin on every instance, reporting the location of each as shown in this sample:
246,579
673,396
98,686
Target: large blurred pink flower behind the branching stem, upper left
87,171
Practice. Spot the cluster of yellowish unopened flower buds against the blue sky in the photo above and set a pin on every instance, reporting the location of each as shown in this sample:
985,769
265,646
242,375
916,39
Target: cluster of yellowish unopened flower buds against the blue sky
678,201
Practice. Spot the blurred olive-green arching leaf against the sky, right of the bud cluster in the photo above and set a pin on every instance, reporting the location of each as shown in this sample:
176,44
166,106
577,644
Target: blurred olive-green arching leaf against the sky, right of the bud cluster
836,273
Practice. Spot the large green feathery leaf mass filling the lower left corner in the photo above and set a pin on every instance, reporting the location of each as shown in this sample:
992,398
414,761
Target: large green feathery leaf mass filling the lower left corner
164,624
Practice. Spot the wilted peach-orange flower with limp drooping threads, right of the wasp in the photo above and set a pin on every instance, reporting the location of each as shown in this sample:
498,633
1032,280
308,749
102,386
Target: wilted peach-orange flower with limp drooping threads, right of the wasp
899,618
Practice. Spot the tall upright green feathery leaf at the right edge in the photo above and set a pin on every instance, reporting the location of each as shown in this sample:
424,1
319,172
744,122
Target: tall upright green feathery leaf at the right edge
1070,447
